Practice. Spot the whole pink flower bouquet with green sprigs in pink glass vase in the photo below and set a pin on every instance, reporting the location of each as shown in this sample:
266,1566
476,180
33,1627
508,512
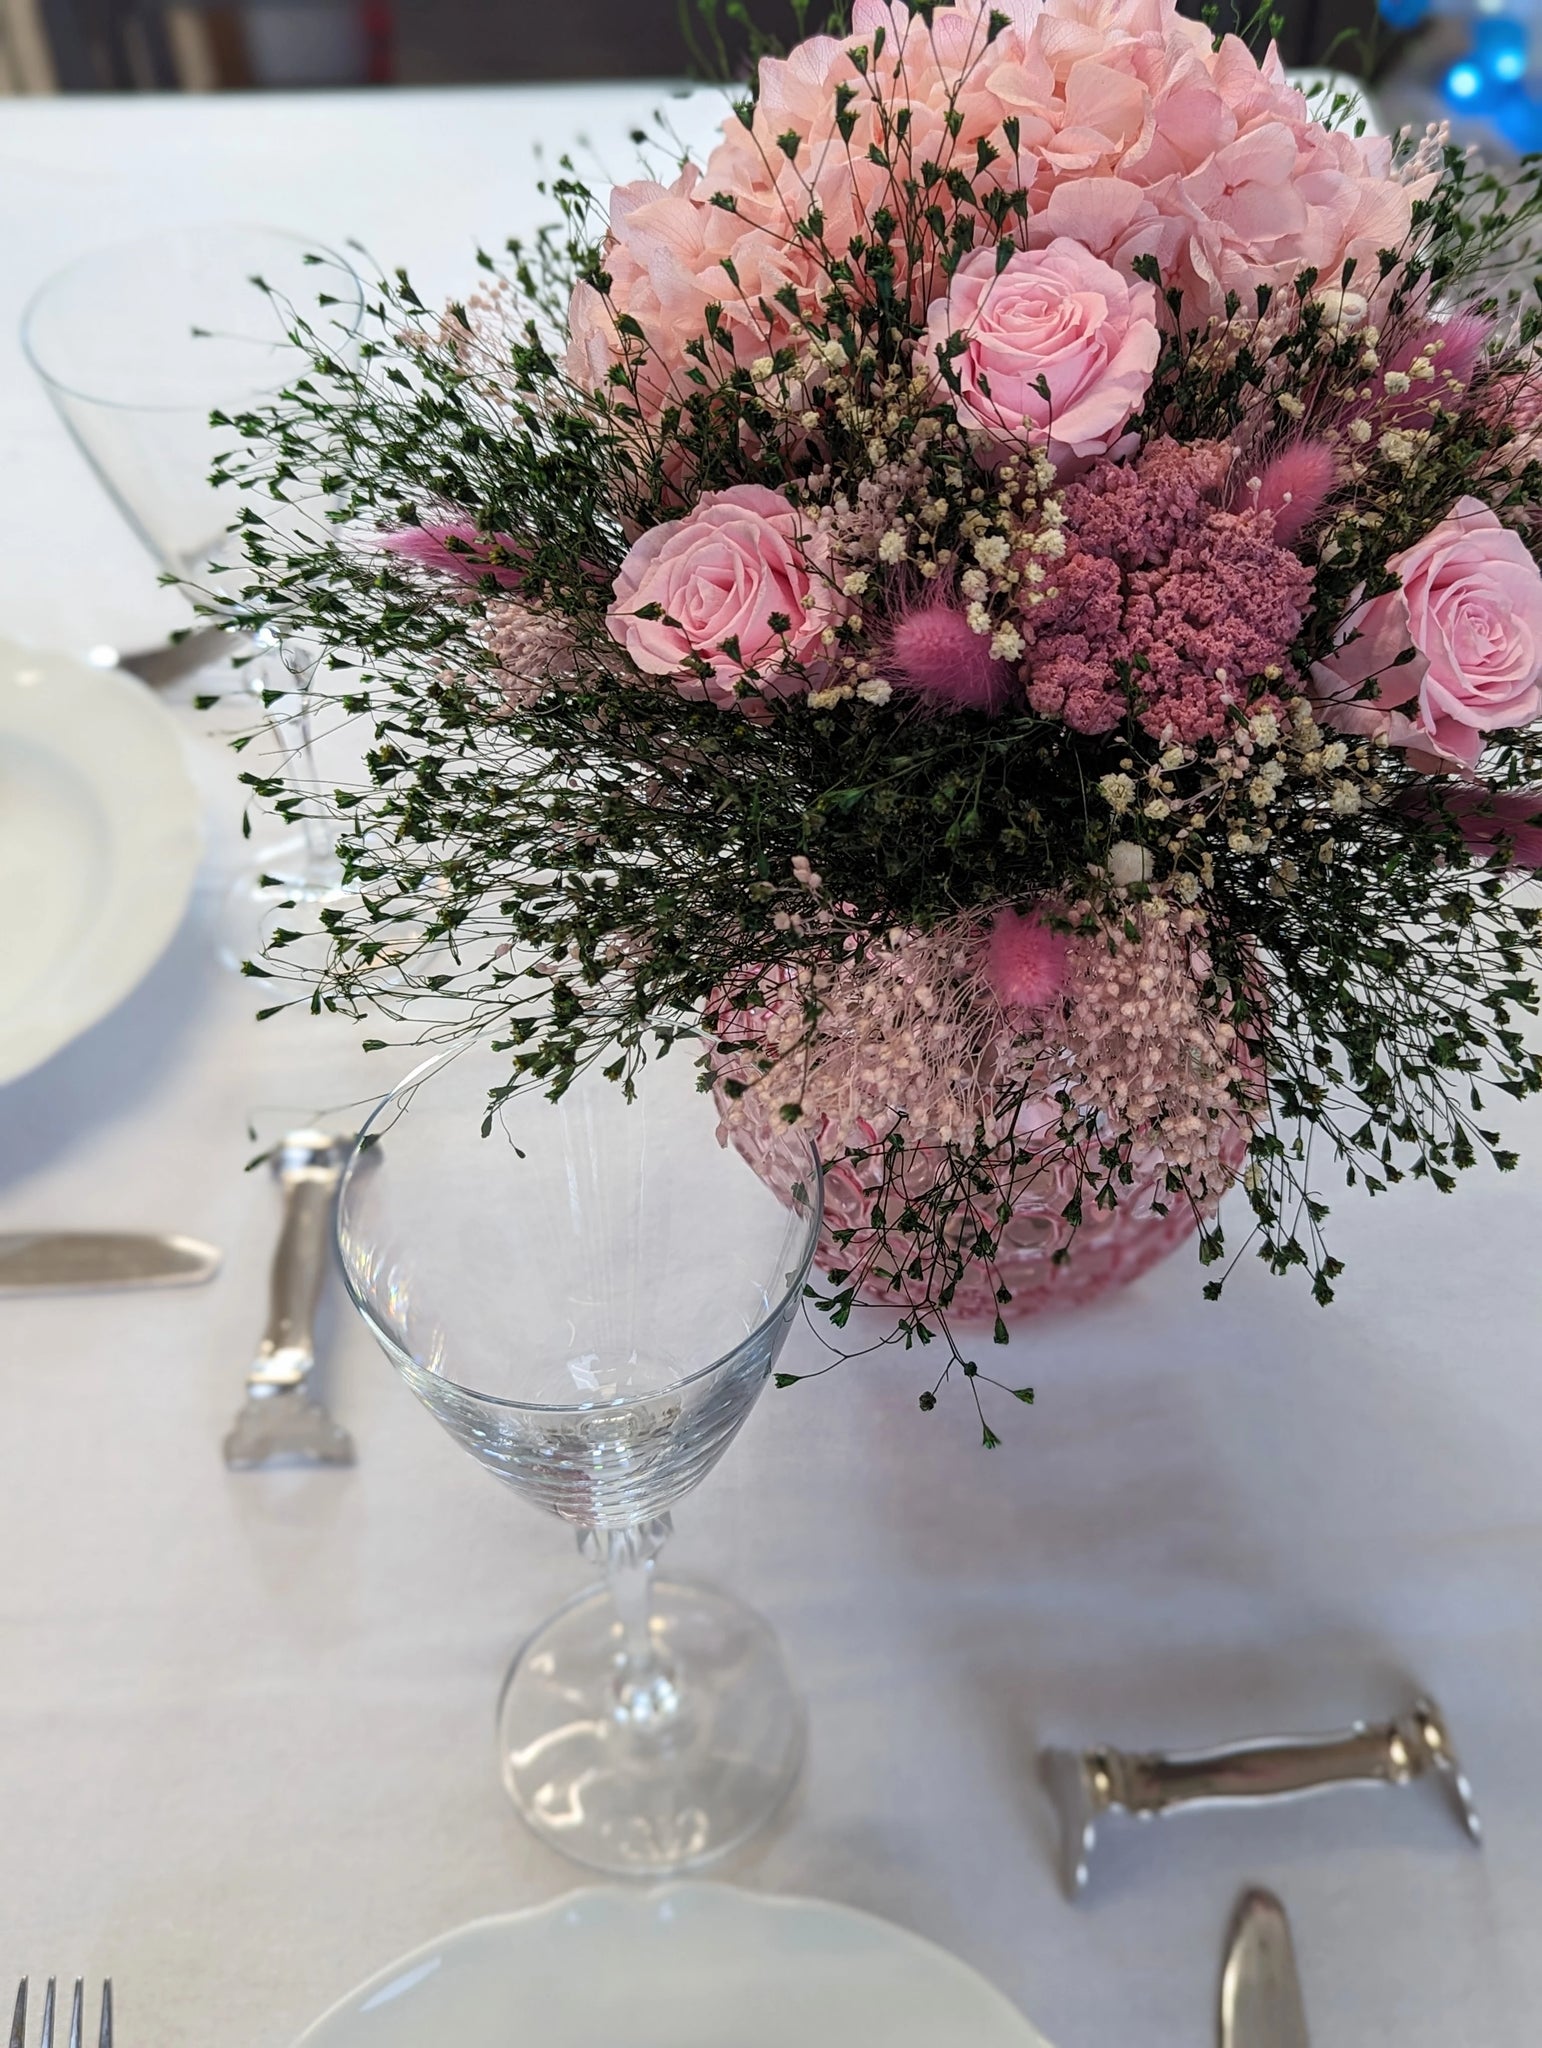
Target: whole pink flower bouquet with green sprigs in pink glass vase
1002,607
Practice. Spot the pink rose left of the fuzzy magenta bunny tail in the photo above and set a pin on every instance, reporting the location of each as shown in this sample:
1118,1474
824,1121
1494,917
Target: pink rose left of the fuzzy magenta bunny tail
730,593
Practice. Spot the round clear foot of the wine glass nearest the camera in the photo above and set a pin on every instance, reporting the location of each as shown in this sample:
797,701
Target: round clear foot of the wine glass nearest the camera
640,1781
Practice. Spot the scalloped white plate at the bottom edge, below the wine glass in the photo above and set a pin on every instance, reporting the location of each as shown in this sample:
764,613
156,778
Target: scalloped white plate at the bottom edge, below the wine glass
685,1967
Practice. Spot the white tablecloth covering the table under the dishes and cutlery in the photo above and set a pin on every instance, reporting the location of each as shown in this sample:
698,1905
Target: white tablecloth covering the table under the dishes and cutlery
245,1721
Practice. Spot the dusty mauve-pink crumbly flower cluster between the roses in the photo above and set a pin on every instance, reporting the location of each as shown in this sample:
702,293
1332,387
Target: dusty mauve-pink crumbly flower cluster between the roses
1164,601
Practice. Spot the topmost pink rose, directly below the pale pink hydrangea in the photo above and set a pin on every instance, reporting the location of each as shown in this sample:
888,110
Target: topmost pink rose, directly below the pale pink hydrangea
1058,321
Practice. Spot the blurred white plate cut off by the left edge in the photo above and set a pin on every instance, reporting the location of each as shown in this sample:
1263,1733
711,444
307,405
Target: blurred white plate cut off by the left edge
99,845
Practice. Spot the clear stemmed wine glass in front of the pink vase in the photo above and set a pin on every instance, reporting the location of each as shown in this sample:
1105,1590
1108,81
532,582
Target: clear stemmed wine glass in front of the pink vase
591,1295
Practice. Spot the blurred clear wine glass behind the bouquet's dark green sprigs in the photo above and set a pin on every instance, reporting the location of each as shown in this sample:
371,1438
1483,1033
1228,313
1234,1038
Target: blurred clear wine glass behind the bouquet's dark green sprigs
138,345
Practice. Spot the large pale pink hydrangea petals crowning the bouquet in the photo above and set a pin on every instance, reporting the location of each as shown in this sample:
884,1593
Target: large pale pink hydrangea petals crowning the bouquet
1136,136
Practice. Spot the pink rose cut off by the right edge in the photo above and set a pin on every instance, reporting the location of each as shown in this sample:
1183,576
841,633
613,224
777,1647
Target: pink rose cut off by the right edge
1471,611
